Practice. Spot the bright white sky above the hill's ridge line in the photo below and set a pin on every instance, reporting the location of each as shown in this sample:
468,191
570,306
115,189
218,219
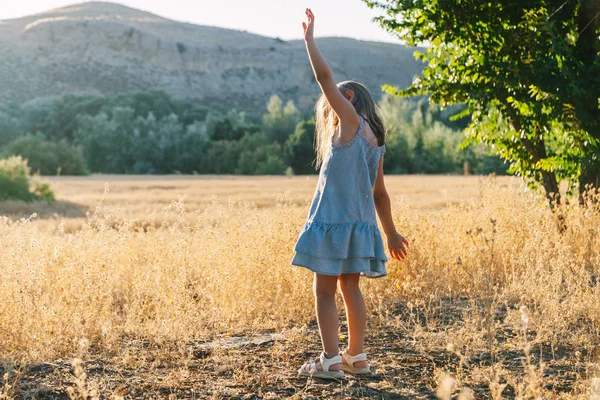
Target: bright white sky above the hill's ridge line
274,18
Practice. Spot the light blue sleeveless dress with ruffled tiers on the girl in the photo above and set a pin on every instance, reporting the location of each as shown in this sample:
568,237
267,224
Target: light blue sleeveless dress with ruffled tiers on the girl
341,234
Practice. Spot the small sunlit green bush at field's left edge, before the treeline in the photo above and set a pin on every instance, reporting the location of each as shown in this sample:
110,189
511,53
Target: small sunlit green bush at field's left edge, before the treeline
15,182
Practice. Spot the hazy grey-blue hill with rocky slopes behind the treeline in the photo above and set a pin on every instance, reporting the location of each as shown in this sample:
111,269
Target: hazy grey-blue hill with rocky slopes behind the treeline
101,48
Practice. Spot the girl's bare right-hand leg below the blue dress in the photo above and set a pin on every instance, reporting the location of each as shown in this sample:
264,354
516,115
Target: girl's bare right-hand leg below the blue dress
356,314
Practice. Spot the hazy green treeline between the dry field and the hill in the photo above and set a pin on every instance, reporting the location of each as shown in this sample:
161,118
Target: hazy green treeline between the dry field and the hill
154,133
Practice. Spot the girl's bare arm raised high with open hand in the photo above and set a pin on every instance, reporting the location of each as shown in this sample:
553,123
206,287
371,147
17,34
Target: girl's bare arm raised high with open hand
340,104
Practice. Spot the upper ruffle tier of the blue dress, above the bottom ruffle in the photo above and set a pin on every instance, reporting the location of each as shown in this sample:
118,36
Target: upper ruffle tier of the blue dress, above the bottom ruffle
341,241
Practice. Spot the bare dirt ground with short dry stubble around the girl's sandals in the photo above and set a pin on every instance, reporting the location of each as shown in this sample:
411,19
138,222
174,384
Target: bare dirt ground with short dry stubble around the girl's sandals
263,365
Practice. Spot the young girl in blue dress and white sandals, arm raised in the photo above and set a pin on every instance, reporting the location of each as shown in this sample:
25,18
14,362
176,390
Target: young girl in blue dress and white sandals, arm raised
340,240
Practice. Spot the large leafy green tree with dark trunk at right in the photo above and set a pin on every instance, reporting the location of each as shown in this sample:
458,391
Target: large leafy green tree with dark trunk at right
525,70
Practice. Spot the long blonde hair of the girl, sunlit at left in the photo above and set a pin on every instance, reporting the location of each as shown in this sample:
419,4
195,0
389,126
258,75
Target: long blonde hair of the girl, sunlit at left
327,120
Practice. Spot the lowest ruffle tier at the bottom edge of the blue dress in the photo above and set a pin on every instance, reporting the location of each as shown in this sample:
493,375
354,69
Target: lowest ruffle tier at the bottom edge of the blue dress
367,267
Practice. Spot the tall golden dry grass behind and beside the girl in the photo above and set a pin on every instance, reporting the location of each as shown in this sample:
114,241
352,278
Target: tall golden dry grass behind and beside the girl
521,283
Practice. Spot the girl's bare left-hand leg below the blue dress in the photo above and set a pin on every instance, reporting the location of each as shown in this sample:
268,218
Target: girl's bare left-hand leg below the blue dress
324,287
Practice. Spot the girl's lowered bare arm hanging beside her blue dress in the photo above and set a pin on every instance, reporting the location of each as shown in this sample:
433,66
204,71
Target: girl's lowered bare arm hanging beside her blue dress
396,243
